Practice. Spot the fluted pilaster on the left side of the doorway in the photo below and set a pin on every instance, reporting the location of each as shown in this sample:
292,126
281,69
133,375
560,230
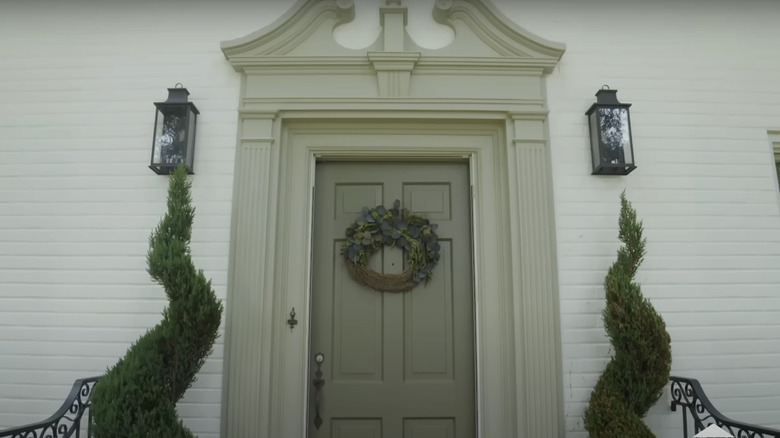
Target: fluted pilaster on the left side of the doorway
248,361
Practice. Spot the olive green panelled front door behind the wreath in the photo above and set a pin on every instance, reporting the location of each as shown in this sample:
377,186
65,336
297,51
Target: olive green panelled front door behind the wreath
395,364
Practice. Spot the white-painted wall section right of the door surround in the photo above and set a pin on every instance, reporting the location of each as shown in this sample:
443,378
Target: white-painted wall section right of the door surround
703,81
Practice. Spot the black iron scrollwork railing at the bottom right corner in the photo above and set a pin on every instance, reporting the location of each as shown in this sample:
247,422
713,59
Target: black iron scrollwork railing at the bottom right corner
689,394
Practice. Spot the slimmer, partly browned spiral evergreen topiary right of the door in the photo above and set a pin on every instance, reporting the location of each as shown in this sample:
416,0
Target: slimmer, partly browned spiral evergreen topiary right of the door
634,380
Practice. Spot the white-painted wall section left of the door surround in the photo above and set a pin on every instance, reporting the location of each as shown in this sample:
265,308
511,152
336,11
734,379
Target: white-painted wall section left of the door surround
77,202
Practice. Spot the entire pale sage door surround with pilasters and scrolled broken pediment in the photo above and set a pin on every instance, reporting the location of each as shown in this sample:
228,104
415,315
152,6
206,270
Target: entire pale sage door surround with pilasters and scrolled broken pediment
489,82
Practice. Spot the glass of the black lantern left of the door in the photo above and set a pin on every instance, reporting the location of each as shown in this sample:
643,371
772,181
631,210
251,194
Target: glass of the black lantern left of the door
170,137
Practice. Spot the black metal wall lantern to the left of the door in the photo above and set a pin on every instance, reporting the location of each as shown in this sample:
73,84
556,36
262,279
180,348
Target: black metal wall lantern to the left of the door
173,142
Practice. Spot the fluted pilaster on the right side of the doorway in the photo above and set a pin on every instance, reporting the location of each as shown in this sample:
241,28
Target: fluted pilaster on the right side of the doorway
536,306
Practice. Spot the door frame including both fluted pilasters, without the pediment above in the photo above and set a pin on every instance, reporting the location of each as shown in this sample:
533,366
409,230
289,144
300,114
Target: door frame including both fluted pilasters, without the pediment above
518,370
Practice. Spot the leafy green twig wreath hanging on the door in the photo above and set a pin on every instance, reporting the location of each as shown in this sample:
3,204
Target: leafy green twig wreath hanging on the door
394,227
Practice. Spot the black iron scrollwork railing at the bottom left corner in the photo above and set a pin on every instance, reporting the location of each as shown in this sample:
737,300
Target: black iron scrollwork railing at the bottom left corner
66,422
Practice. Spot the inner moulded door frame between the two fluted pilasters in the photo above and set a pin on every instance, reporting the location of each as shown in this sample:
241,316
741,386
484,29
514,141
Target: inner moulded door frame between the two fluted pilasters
482,144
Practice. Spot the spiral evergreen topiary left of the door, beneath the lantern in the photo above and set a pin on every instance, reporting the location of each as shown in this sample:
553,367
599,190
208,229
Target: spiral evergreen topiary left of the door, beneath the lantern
137,397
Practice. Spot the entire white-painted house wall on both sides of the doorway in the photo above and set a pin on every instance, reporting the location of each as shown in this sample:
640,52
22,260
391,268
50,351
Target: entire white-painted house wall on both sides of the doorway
77,202
